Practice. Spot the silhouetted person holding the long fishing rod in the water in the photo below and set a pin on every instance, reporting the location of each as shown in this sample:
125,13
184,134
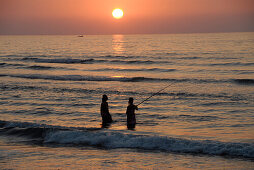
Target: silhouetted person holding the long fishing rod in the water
130,112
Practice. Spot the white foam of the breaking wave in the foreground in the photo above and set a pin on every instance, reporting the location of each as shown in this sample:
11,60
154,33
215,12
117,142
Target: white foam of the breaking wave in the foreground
111,140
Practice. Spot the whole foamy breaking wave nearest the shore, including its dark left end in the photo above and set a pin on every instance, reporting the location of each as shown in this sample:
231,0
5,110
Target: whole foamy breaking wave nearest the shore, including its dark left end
111,139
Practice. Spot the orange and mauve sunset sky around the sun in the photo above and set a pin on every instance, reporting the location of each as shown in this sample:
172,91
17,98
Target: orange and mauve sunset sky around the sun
140,16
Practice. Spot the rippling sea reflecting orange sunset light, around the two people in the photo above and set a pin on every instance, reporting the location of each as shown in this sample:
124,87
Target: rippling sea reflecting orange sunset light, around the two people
199,112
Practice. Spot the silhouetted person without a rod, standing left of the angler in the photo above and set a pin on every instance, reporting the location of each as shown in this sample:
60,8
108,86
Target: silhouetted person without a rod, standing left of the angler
106,117
